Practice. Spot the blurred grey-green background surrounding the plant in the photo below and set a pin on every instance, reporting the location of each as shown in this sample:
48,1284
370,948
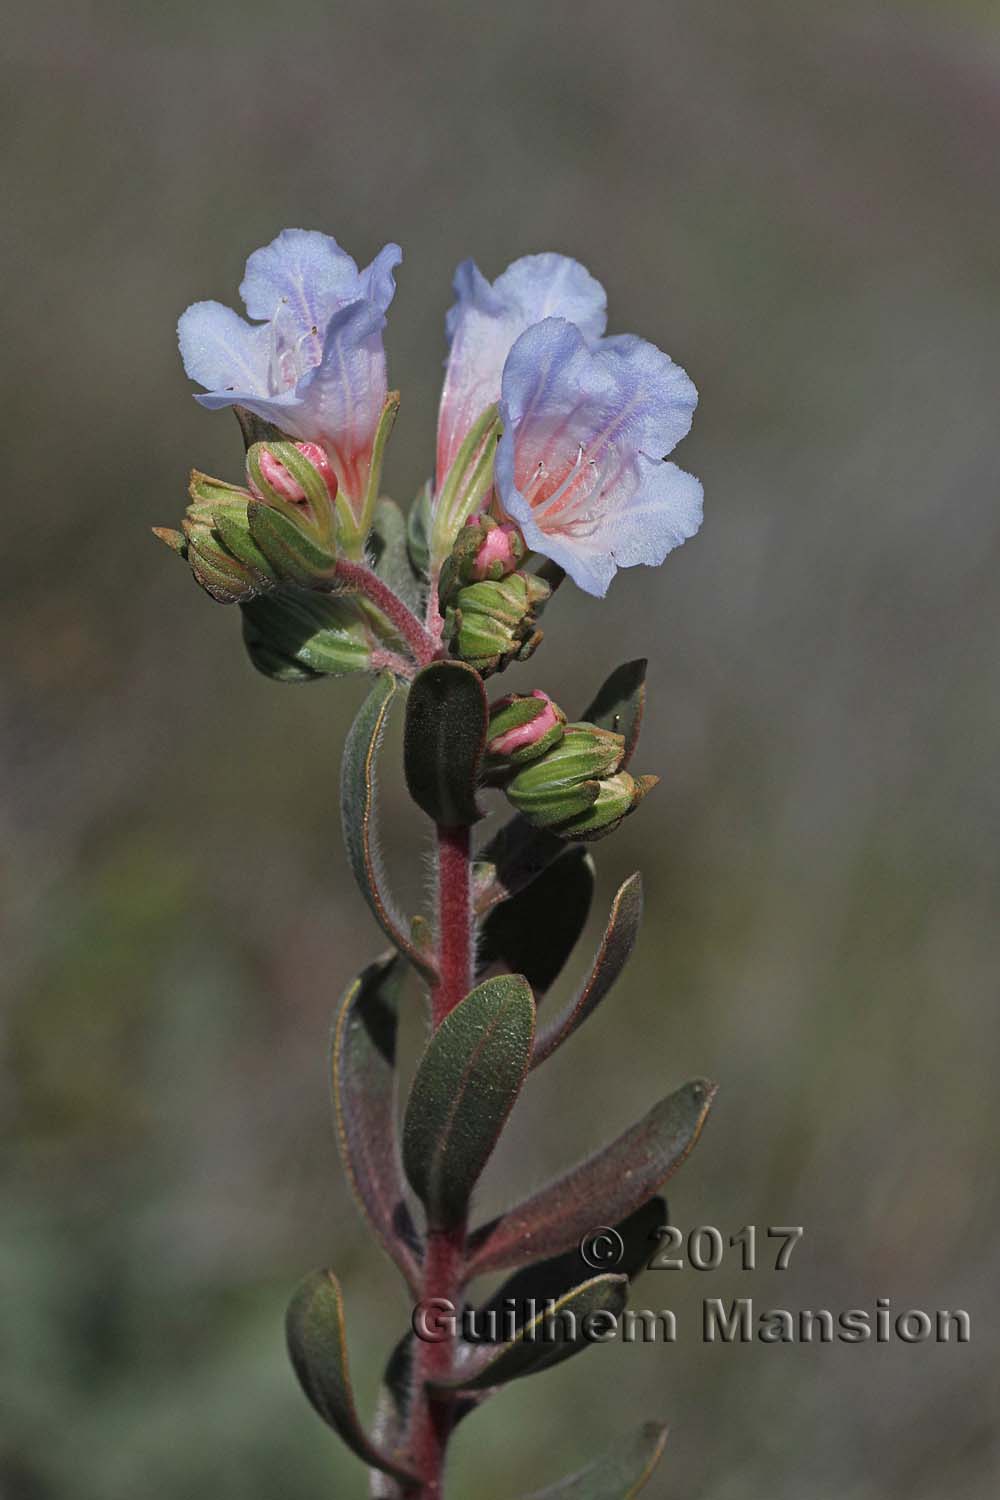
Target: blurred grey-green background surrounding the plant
801,203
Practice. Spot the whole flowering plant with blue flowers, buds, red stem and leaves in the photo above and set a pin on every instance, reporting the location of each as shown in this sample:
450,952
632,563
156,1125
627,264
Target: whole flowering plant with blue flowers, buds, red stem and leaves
551,461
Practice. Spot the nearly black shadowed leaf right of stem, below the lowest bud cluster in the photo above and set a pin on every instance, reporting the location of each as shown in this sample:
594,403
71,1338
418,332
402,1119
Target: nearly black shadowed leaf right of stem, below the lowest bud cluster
536,932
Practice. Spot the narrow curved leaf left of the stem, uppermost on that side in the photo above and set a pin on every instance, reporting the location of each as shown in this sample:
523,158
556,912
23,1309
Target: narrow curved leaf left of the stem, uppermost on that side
358,811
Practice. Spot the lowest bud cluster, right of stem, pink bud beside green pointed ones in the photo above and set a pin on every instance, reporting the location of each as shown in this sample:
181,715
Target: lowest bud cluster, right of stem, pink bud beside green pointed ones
569,779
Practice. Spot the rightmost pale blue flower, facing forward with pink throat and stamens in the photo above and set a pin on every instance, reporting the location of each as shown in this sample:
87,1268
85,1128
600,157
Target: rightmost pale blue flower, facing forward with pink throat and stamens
579,467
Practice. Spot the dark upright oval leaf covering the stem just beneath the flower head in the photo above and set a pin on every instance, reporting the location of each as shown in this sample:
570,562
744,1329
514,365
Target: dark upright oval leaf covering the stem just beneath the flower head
443,743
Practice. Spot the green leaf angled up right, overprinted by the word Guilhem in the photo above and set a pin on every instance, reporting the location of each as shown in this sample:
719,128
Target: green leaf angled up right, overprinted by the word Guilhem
546,1340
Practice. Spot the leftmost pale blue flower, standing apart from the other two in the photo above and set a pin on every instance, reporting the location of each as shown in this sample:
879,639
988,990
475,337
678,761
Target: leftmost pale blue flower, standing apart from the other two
313,359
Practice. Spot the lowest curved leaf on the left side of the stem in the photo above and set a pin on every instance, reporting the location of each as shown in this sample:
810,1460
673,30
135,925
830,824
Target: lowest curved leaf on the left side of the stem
317,1345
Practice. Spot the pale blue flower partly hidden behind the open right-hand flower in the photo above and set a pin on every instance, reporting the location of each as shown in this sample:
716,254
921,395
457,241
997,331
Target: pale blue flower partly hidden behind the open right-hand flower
487,322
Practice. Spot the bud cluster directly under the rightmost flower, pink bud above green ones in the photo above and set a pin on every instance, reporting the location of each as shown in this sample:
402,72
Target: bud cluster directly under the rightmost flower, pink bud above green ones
490,605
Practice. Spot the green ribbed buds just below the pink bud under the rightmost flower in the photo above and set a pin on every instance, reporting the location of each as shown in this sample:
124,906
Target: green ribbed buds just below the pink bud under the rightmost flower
494,623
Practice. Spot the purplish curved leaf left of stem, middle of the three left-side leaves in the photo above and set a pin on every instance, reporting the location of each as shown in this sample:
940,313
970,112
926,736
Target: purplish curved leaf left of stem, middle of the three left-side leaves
364,1073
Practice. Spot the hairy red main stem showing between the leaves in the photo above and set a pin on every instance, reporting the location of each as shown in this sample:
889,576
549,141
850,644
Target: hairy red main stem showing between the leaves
445,1259
